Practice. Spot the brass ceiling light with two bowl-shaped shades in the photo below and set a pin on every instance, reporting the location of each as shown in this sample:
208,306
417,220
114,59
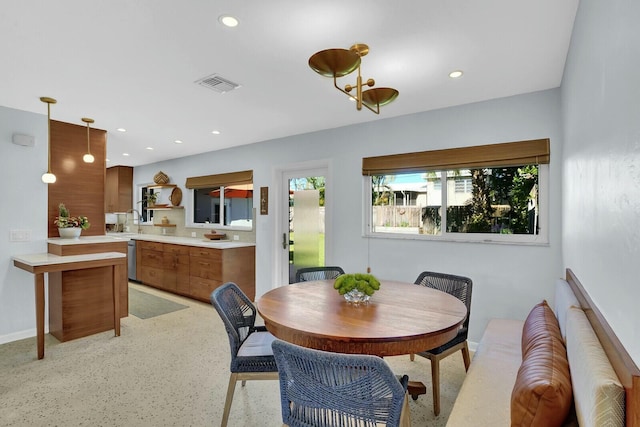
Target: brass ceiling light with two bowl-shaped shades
338,63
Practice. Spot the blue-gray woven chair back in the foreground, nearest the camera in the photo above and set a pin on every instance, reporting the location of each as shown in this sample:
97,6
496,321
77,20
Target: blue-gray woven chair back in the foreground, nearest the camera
324,389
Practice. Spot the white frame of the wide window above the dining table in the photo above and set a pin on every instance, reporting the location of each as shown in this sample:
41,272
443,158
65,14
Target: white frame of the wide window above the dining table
540,239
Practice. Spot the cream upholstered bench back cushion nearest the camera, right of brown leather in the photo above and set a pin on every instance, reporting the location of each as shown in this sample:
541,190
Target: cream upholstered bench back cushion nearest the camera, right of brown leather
598,394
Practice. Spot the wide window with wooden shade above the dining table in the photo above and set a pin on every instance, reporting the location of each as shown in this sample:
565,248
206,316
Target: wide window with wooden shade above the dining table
500,201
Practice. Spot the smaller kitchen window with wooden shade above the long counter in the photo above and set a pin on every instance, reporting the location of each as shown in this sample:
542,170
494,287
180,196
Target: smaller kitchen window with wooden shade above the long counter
221,201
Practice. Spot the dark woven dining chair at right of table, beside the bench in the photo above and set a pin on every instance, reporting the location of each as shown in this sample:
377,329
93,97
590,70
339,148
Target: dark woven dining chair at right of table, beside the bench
459,287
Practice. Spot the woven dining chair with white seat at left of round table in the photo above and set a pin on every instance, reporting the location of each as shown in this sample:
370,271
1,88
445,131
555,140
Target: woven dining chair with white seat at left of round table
251,353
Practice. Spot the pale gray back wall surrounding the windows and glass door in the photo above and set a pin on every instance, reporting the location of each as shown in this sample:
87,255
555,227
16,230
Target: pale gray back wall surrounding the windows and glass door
508,279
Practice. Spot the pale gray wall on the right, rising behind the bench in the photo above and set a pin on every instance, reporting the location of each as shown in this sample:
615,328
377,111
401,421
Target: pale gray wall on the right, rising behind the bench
601,161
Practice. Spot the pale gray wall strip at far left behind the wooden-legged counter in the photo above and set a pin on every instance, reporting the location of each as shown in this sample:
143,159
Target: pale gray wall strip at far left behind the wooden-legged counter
23,207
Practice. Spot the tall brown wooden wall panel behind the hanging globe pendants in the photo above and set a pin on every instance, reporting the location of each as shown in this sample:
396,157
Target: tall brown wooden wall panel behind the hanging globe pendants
79,185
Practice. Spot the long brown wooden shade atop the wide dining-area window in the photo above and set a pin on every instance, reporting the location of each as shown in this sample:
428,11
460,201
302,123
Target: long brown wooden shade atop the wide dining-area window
534,151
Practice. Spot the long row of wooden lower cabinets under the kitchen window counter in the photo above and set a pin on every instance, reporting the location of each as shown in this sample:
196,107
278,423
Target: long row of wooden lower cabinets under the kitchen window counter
195,271
